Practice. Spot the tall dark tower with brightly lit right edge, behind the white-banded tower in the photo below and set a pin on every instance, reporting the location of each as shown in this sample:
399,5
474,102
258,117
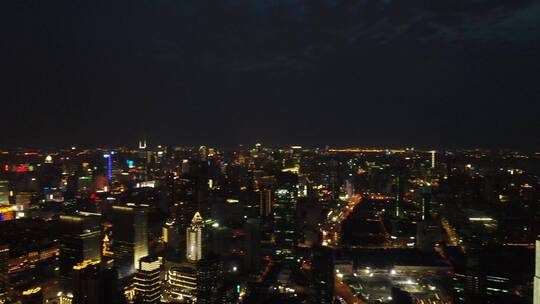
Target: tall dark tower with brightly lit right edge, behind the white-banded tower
129,237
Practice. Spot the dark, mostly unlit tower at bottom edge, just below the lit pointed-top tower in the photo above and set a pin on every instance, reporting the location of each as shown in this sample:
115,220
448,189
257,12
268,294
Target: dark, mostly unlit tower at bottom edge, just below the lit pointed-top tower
209,280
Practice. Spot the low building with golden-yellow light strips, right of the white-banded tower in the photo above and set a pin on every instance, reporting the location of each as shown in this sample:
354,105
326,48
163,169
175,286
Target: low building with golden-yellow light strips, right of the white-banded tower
181,284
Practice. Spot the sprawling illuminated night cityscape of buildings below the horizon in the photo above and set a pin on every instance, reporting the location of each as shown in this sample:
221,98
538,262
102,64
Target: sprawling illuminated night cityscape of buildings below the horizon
162,224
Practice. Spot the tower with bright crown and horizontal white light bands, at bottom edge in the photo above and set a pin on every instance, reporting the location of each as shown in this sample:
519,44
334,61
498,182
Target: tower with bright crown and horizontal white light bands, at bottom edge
147,281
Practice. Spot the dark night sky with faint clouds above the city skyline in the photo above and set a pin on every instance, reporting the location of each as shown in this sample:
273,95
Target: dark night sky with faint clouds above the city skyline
444,73
